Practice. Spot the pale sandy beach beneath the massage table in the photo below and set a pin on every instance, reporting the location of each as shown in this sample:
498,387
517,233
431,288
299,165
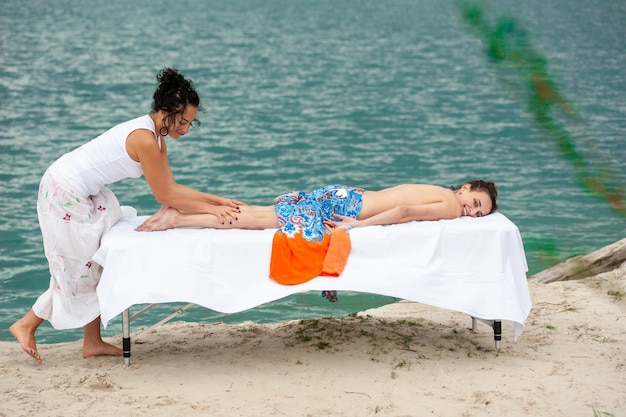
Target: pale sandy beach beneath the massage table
404,359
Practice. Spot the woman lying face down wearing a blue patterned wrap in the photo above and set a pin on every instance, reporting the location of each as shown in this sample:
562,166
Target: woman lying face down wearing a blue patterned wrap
348,206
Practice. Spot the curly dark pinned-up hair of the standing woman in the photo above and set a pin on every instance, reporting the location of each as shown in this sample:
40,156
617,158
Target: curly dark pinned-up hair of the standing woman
173,94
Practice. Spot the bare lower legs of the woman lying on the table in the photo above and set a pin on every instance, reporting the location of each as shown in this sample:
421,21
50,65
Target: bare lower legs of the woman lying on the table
250,217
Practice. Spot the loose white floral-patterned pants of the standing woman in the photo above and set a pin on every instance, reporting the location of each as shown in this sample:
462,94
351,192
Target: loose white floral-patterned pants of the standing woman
72,226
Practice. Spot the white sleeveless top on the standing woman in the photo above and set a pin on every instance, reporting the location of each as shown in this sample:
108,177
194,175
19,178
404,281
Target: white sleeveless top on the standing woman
102,161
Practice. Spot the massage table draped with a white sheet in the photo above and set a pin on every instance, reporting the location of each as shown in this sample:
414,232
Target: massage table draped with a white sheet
475,266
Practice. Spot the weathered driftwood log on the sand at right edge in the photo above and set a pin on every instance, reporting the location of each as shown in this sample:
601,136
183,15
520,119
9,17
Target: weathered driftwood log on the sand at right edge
603,260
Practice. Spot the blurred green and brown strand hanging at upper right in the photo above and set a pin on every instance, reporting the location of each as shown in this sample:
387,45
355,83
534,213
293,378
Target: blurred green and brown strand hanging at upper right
523,72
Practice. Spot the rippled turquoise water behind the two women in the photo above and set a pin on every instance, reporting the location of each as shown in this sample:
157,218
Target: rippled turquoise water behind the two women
298,94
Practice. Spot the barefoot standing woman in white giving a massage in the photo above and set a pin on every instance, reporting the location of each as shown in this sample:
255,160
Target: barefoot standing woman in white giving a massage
75,208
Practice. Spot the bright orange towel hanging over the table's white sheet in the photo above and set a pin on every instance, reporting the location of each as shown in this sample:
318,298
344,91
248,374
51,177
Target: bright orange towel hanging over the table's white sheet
297,260
